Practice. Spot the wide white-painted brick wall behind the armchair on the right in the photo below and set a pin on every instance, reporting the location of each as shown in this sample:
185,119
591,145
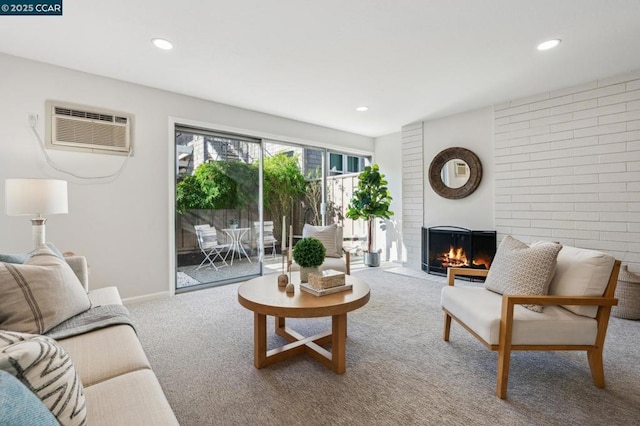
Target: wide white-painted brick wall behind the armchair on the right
567,167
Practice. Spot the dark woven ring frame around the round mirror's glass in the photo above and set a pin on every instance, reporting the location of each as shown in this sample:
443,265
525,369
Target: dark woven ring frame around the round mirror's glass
435,170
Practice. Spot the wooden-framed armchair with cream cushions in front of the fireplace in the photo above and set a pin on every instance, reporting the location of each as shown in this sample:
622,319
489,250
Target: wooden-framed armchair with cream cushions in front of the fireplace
575,313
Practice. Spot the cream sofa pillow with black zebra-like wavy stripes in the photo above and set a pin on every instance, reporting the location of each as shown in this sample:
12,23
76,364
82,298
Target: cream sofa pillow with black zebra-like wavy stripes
47,370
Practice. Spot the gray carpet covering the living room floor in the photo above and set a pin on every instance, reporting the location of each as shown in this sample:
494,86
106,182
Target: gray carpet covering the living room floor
399,371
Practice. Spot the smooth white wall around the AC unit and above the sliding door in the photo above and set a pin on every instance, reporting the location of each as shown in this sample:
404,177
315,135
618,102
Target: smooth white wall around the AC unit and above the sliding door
123,226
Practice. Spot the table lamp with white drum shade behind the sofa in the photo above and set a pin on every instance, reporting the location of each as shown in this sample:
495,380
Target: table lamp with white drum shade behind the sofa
36,197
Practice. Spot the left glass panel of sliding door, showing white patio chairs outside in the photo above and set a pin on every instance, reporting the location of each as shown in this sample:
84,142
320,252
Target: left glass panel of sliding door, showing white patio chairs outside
218,210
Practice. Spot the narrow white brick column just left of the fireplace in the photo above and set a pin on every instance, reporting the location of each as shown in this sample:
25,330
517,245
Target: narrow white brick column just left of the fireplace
412,192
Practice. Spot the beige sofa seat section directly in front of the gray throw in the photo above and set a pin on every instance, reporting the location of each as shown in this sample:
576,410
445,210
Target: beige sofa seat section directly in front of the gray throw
103,354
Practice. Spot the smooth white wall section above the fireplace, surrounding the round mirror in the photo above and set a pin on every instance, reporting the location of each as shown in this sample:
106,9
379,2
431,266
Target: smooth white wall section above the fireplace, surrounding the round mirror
472,130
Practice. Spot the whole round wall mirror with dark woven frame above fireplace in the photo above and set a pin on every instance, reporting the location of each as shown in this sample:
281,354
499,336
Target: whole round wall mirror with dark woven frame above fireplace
455,173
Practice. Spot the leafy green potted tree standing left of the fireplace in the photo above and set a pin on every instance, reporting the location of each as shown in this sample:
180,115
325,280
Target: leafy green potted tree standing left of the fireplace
371,200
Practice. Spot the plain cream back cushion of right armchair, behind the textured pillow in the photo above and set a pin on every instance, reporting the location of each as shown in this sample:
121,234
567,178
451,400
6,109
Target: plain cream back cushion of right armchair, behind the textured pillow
581,272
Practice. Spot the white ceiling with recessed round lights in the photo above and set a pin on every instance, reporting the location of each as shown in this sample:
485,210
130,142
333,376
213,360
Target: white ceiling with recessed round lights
316,60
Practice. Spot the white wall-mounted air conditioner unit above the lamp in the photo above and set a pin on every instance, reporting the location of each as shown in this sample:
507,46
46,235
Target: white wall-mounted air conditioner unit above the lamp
90,129
